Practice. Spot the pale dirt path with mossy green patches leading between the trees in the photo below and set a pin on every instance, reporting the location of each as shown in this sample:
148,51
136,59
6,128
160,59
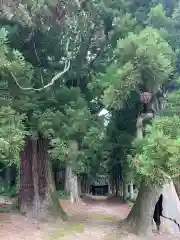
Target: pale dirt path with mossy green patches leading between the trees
92,220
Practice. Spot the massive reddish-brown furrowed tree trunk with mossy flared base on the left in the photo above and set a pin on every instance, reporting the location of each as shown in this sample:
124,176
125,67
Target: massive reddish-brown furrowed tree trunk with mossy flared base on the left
37,197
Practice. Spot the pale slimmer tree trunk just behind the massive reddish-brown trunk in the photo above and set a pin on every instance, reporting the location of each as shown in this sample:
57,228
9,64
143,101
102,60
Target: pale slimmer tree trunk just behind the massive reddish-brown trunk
72,184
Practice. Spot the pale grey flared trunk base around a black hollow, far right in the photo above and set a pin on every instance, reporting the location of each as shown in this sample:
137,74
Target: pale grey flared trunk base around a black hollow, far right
140,219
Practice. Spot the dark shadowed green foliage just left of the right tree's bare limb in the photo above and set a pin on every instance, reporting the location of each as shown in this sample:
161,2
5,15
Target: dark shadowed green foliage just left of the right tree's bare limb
120,134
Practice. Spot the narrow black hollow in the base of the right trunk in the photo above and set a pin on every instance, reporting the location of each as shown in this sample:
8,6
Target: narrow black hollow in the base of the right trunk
158,212
